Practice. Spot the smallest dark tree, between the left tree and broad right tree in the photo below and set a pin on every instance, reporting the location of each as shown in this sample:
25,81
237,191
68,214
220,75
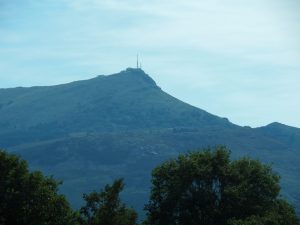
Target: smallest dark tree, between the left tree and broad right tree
105,207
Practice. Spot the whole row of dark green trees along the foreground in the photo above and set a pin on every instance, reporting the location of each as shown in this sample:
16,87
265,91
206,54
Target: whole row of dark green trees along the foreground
201,187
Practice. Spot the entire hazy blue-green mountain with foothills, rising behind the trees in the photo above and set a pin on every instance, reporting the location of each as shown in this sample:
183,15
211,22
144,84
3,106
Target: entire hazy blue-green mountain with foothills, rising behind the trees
89,132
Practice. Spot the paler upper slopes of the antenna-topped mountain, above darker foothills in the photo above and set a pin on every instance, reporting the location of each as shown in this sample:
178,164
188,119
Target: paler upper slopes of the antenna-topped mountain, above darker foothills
127,100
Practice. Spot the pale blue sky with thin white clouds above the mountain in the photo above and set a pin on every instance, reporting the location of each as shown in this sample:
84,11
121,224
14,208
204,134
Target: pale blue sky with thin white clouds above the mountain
238,59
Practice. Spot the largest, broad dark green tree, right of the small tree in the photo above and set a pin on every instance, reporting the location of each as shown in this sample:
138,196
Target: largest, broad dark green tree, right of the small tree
206,187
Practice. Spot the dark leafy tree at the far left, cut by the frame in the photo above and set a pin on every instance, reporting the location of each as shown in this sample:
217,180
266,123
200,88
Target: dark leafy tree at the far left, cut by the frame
30,197
